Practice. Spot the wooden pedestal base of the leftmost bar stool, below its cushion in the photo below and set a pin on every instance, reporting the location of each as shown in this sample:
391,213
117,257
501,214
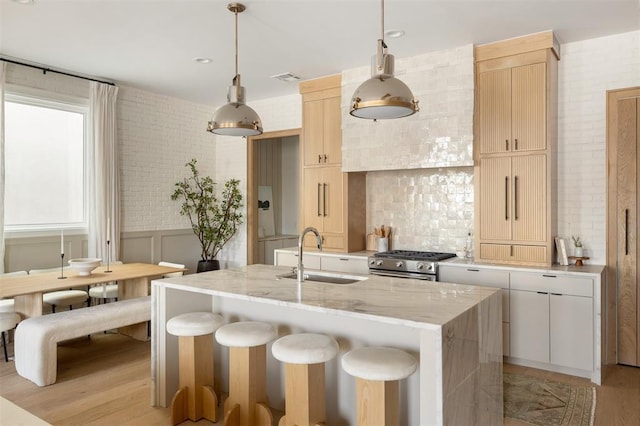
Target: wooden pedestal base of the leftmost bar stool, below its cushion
196,373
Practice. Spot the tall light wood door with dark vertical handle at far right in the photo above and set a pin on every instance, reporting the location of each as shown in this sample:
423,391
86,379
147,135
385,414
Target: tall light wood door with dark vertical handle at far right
623,139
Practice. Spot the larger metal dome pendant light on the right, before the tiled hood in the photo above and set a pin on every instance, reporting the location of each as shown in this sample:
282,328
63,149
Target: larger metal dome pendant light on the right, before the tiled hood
383,96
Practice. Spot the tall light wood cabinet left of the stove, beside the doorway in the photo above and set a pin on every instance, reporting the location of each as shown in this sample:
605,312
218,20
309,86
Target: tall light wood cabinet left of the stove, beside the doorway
333,202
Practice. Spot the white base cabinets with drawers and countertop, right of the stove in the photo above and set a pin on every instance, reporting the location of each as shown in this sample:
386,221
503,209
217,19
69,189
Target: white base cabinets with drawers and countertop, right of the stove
553,316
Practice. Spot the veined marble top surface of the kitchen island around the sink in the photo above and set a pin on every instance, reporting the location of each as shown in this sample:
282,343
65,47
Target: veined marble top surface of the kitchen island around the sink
416,303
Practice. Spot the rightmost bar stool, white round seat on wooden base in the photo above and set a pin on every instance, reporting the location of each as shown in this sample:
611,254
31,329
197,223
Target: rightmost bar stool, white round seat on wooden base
378,371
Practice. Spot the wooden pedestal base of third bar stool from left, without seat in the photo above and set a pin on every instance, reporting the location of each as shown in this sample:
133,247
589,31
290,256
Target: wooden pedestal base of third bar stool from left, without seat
304,395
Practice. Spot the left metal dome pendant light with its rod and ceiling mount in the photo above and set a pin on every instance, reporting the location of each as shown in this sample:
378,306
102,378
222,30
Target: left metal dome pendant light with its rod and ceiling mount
235,118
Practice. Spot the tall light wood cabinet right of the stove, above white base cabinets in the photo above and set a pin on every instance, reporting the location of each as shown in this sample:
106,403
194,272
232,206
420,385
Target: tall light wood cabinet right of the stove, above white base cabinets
515,150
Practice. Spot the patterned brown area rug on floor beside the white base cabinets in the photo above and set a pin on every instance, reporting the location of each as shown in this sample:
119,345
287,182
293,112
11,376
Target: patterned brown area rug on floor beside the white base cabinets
546,402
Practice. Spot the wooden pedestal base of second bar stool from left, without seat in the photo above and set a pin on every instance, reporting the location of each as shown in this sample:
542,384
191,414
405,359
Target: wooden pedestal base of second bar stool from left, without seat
248,385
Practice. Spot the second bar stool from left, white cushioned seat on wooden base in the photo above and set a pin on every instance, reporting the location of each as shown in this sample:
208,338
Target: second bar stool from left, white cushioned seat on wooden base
247,404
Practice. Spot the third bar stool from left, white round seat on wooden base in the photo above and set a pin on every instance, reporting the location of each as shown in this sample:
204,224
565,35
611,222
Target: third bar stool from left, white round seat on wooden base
304,356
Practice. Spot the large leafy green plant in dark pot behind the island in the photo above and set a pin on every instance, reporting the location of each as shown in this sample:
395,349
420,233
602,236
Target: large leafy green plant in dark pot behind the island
214,219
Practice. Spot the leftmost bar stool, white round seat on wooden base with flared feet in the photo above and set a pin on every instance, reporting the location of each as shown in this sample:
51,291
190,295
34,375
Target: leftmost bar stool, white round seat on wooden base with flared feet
195,397
